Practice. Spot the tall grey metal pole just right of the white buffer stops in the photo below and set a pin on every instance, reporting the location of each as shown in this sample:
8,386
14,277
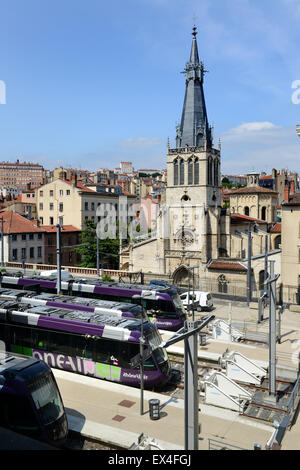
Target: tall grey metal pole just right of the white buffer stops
272,332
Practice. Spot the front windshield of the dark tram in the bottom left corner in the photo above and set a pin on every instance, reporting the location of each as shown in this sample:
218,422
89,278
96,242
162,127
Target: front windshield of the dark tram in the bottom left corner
46,398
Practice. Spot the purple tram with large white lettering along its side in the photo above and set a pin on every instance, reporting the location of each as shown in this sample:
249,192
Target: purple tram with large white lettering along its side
94,344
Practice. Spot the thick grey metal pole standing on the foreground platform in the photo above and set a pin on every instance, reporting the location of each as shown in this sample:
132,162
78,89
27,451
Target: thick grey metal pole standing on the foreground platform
191,395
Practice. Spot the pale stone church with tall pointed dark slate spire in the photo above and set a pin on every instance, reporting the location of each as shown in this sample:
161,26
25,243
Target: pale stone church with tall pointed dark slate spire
192,238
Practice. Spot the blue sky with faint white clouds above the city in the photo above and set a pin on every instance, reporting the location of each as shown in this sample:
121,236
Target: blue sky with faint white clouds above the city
92,83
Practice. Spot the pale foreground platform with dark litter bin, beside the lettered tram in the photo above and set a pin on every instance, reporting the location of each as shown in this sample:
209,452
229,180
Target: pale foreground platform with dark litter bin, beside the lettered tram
111,412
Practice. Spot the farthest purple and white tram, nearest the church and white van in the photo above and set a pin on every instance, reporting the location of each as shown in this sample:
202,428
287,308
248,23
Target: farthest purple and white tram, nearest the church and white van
165,303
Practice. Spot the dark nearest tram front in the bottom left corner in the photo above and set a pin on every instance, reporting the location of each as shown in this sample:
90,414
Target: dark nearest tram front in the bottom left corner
30,401
